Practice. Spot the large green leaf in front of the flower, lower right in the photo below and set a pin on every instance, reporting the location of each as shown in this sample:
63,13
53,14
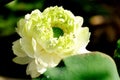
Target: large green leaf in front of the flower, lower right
90,66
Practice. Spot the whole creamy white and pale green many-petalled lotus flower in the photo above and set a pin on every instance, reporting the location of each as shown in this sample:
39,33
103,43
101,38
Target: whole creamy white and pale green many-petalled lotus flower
48,37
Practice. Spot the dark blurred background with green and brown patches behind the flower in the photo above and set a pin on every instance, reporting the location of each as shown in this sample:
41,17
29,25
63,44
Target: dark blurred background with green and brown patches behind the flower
101,16
